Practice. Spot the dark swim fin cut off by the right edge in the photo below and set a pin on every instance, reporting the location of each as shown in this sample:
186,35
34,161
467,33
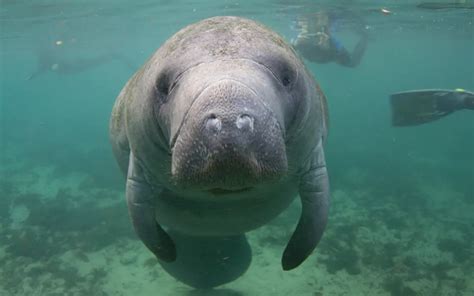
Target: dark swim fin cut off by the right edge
421,106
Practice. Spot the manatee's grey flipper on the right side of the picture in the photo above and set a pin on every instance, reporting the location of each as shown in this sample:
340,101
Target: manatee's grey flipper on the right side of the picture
314,193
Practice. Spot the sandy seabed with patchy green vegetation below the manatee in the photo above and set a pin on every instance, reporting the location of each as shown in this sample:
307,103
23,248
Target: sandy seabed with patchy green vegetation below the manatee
61,234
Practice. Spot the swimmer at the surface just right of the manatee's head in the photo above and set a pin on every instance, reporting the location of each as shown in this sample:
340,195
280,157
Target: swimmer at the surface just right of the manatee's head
317,42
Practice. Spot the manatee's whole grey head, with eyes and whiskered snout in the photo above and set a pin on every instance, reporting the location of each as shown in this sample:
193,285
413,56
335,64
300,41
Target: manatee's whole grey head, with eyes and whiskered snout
228,93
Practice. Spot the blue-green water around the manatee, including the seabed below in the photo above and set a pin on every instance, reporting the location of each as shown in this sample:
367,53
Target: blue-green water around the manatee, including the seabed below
401,219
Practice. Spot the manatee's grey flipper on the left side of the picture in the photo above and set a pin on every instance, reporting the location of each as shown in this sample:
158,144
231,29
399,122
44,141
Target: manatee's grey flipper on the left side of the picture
141,206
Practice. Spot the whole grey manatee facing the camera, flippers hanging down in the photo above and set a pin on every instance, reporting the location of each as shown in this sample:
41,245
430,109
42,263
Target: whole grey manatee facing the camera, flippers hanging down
218,132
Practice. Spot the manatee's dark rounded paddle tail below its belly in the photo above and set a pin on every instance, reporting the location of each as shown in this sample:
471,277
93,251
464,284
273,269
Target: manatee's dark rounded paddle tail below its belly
207,262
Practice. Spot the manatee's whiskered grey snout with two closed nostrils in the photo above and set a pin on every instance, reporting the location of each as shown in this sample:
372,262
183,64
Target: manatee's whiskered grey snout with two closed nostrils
230,139
